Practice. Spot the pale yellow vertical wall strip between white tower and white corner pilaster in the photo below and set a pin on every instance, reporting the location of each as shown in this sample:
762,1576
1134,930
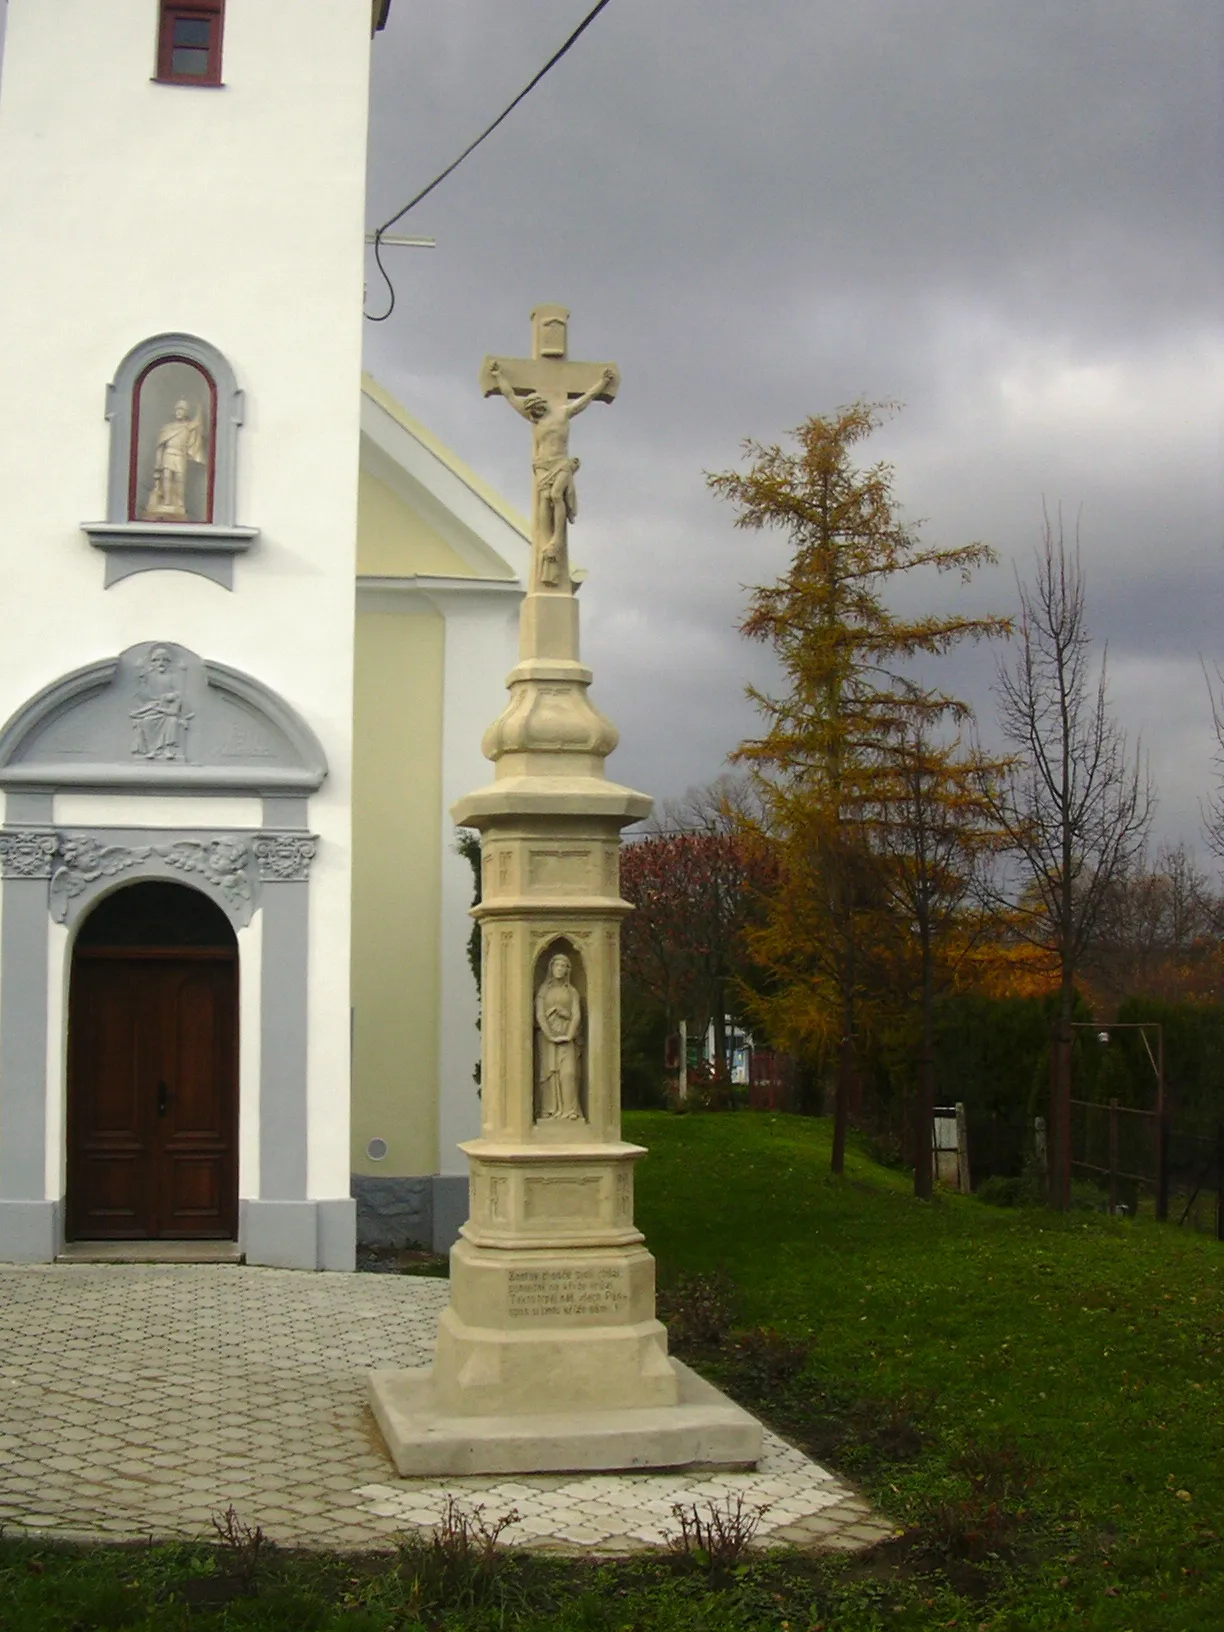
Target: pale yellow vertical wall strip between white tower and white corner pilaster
397,836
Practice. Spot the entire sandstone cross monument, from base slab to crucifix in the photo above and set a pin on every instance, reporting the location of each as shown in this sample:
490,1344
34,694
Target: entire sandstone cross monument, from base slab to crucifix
549,1355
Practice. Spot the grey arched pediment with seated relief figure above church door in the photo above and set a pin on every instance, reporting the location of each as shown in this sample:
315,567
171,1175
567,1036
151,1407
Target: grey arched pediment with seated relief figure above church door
161,719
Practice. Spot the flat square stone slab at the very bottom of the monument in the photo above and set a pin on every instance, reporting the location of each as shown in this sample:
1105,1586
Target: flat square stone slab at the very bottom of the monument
703,1430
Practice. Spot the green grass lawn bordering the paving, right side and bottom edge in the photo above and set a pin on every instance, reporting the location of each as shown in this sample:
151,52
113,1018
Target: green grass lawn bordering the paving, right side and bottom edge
1034,1401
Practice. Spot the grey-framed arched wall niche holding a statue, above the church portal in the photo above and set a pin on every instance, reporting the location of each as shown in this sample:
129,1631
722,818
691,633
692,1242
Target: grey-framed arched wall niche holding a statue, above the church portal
175,410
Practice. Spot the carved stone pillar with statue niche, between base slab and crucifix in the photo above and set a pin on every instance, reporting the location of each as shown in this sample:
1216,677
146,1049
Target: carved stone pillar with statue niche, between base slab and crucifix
552,1297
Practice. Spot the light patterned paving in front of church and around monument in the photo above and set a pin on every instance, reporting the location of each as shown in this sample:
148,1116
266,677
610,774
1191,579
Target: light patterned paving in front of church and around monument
144,1399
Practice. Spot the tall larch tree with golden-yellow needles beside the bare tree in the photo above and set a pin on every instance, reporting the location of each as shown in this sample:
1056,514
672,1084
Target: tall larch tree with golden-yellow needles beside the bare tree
851,690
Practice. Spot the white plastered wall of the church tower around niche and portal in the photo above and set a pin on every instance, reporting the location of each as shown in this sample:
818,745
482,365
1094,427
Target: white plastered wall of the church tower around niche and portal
237,215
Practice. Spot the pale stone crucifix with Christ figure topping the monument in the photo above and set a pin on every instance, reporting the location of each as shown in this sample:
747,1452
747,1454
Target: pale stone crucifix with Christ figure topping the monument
548,389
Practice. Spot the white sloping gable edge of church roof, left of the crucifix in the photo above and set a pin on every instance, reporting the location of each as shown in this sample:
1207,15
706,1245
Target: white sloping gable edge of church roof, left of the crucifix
456,503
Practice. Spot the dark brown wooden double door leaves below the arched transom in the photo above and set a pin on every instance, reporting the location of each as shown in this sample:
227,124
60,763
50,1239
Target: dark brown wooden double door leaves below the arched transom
153,1094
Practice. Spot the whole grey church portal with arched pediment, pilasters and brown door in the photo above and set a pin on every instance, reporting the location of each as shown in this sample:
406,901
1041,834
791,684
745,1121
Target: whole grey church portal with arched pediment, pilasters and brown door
122,745
